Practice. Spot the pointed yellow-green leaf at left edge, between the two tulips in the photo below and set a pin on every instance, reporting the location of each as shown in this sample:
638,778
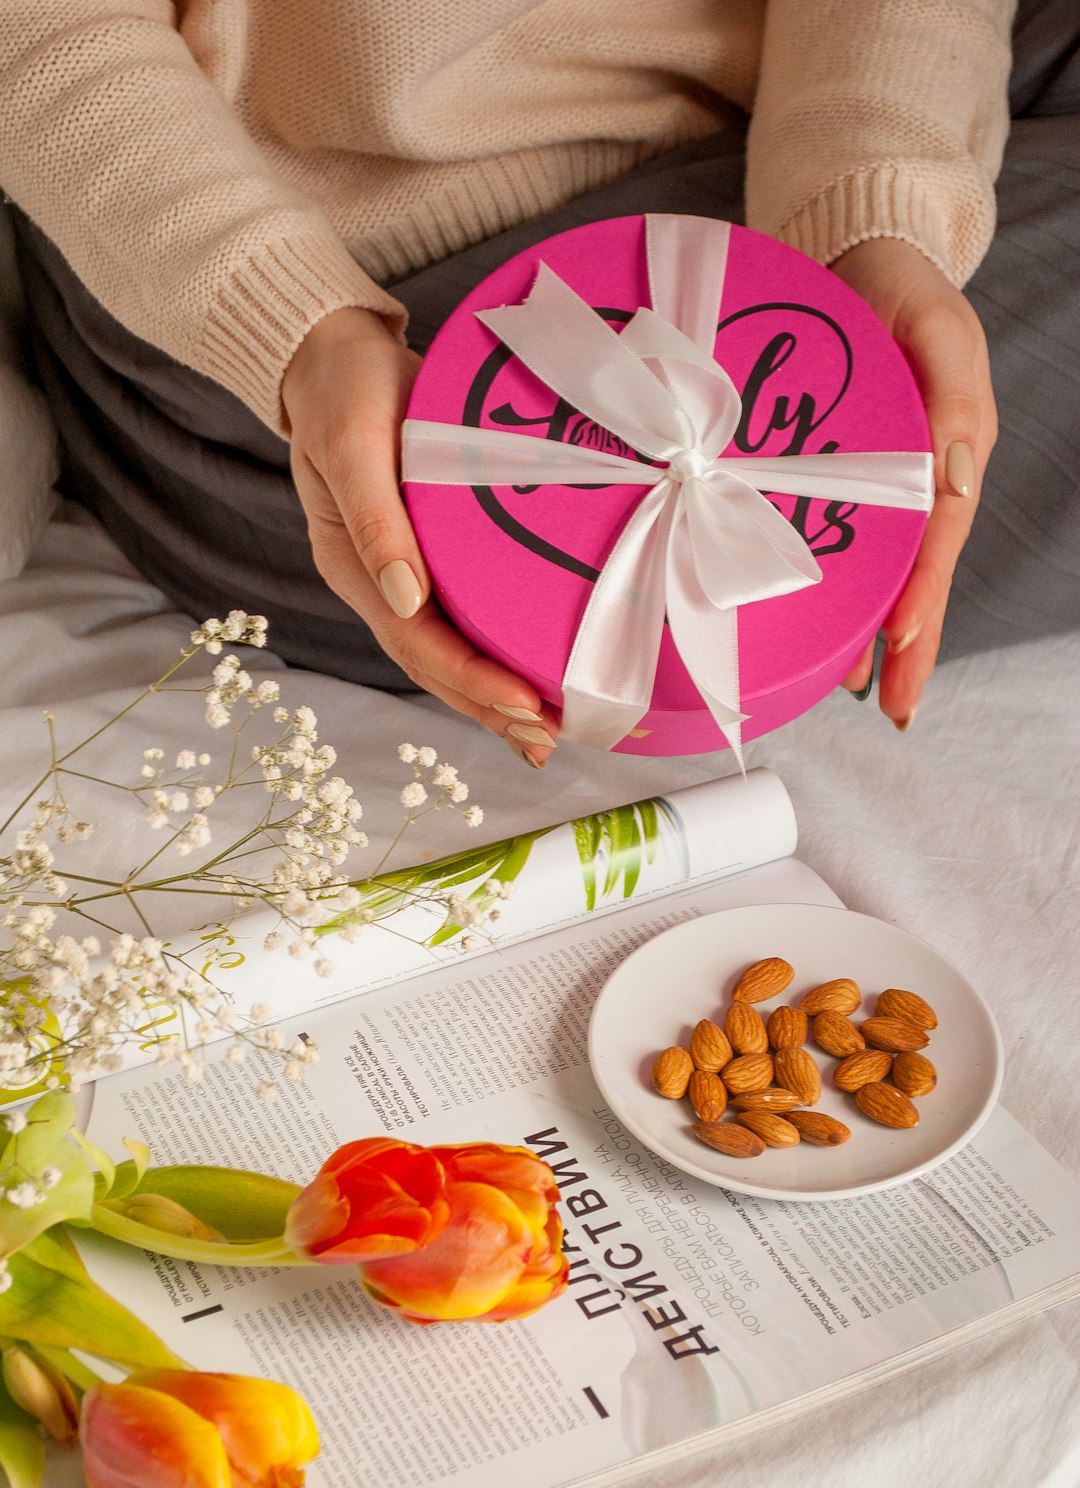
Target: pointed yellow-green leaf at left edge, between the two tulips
47,1306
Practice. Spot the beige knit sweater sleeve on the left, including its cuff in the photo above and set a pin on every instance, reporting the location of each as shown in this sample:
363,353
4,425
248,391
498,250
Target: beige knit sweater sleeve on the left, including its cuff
129,157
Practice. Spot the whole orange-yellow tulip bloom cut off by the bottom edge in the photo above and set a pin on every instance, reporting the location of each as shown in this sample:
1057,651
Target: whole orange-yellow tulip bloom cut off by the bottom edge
179,1429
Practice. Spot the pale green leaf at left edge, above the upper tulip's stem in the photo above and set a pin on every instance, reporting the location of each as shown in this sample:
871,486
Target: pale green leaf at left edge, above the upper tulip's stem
45,1144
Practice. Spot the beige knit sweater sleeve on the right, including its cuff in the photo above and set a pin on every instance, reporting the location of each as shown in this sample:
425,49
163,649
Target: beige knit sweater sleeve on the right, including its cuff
881,118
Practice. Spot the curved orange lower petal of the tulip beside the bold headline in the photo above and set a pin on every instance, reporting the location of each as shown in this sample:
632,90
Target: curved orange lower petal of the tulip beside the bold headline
468,1270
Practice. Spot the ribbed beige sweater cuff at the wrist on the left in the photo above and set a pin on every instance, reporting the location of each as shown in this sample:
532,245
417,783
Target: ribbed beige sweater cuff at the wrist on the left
270,304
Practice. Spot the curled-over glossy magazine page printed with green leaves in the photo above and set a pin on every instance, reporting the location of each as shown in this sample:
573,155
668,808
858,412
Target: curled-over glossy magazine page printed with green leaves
557,876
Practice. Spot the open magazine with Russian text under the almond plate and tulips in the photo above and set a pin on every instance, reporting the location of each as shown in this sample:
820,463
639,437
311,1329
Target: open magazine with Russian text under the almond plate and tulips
692,1313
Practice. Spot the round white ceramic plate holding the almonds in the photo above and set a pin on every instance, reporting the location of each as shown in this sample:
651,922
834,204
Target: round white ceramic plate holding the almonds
663,990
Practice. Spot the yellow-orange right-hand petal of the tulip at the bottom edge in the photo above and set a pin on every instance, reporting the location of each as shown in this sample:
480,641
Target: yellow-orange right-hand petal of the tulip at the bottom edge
267,1429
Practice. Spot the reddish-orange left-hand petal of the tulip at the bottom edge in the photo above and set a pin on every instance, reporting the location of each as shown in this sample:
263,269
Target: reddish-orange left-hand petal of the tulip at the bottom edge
136,1438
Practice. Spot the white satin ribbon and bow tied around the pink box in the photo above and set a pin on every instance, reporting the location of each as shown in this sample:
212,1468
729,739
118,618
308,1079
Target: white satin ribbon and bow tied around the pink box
704,539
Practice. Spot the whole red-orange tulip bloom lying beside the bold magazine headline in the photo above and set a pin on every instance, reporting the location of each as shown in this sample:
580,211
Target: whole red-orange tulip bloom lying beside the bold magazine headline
493,1246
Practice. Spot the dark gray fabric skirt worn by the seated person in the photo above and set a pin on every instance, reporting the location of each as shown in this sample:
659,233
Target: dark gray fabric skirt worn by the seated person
197,490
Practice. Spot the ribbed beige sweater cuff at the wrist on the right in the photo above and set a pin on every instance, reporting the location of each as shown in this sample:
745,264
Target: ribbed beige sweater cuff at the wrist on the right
886,202
